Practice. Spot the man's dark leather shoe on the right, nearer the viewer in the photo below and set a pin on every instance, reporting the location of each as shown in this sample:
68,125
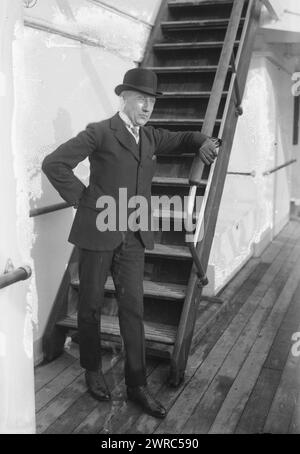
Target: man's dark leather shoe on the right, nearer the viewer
142,396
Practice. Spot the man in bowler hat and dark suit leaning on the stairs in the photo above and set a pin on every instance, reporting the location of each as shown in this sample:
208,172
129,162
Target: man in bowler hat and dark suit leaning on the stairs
121,152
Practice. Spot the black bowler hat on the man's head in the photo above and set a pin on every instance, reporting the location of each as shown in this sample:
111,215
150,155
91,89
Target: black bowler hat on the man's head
139,79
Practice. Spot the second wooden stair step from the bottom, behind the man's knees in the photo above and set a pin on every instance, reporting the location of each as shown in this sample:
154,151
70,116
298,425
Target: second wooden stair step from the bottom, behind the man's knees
163,290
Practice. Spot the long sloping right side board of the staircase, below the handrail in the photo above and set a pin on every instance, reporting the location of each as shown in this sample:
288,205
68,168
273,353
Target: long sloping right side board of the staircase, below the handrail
194,290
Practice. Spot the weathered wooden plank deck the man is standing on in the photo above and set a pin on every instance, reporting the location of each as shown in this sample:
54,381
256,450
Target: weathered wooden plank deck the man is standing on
244,376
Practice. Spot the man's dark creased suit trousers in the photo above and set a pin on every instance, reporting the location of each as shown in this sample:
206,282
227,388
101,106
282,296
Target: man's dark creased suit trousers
126,264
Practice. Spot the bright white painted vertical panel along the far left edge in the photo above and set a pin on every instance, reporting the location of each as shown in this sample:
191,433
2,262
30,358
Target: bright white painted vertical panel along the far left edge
17,309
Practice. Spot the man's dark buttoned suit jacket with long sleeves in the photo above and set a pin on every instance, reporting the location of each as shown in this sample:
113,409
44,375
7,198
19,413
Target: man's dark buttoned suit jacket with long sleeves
115,162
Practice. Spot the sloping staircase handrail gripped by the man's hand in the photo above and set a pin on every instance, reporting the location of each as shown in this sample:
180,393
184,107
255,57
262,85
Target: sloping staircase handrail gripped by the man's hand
209,122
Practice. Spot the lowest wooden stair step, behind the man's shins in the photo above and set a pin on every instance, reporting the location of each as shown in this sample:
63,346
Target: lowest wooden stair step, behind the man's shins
155,332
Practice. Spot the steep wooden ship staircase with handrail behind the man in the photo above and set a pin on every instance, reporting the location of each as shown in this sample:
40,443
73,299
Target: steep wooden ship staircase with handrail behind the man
201,52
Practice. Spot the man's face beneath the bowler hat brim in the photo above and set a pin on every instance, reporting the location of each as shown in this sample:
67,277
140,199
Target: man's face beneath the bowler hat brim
138,107
